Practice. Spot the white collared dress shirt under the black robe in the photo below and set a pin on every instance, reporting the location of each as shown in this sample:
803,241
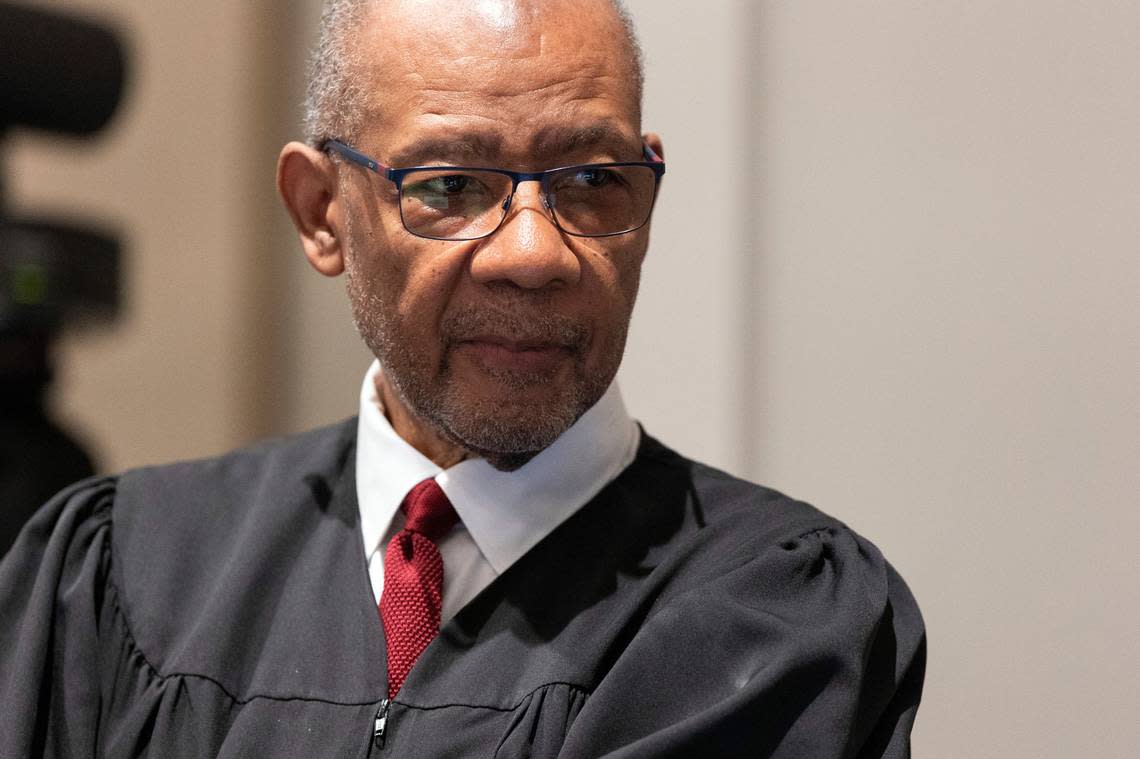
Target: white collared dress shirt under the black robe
502,515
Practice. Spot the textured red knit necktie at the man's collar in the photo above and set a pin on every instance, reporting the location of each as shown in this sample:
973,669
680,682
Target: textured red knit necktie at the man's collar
412,600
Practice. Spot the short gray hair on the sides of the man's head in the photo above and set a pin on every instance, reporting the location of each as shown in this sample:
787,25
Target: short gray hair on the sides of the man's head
333,101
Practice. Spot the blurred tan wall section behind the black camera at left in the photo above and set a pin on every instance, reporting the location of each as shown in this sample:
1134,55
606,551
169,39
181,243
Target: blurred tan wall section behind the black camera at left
186,172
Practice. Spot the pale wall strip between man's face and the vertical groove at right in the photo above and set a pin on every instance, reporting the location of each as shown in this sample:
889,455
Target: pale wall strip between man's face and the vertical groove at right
688,368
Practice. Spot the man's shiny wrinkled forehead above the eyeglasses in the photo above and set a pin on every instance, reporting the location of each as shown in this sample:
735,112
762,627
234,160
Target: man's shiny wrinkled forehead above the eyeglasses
503,78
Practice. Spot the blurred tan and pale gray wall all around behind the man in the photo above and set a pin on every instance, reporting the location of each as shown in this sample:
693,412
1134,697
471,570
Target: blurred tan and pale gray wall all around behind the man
895,272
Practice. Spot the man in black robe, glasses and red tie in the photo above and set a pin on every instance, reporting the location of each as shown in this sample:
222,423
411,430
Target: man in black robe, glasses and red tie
551,582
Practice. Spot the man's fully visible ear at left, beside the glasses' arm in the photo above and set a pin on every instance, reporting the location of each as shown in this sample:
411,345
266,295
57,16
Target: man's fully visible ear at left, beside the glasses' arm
307,182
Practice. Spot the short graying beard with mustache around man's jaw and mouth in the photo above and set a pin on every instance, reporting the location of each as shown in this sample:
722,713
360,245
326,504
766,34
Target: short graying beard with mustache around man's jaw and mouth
508,438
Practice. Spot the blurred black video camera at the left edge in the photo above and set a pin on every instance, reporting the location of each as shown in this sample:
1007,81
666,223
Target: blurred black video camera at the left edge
64,76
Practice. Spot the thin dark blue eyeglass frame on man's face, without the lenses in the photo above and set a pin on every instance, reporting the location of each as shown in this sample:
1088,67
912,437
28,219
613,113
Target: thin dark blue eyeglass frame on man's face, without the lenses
396,176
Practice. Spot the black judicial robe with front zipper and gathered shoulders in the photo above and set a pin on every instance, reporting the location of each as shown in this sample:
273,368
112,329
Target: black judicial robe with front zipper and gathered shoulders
223,608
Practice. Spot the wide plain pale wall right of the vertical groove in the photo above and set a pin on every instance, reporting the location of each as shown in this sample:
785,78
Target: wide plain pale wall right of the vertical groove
950,234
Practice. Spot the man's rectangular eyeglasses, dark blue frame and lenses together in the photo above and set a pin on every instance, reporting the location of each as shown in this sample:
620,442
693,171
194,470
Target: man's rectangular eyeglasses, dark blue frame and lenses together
461,203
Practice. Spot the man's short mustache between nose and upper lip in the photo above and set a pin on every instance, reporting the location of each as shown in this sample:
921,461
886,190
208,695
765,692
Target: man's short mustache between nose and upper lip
519,325
